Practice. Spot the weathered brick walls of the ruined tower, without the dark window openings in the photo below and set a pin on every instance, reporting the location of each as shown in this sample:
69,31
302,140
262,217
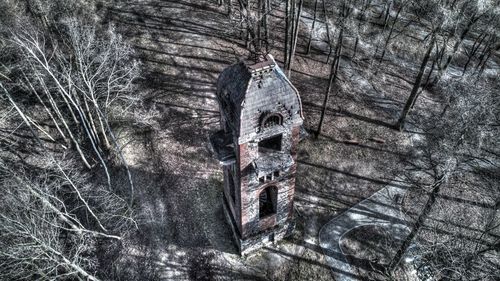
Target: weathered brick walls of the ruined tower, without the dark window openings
266,93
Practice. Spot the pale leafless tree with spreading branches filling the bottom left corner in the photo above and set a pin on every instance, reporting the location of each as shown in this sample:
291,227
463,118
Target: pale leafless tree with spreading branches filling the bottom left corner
49,222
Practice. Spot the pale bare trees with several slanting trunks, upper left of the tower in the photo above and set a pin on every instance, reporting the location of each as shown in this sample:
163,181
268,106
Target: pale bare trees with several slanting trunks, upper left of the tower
77,82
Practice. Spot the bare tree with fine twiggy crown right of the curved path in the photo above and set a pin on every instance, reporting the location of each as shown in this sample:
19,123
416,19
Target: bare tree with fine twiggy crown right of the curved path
458,141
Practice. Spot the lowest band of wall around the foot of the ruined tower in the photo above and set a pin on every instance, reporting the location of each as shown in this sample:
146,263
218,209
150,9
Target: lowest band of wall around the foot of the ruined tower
258,240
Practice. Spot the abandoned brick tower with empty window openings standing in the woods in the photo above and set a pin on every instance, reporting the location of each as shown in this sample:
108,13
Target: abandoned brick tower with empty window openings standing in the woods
261,117
